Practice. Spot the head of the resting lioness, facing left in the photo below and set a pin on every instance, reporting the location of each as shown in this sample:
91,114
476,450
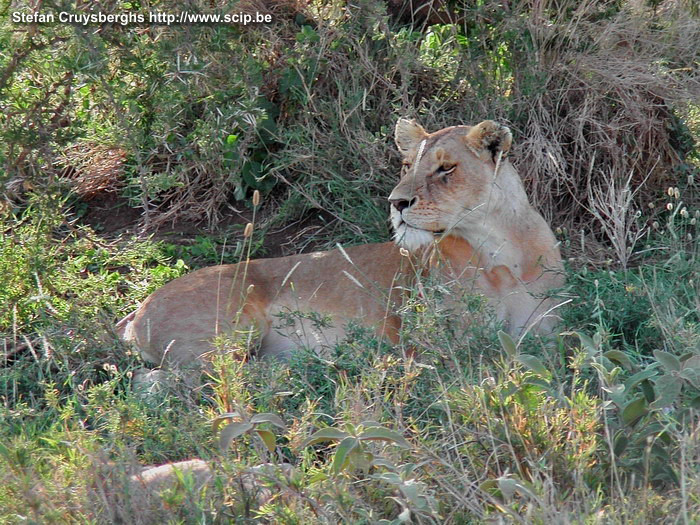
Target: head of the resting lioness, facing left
450,179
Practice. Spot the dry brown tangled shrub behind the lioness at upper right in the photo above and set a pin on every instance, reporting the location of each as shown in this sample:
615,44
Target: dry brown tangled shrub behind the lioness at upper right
610,107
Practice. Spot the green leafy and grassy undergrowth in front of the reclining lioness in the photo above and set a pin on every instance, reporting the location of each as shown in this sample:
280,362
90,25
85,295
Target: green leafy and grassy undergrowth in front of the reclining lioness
598,426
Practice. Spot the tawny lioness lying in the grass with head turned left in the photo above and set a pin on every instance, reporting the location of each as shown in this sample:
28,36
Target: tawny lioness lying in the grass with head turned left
459,209
